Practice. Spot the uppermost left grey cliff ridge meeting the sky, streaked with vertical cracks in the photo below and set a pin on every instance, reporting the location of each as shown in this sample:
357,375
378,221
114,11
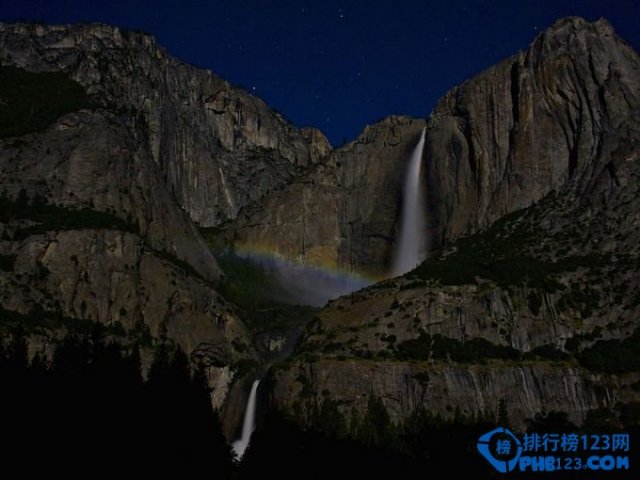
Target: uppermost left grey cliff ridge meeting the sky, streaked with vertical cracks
218,148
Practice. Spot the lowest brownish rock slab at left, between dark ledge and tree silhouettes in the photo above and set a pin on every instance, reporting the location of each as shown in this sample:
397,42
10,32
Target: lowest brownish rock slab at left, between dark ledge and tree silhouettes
113,278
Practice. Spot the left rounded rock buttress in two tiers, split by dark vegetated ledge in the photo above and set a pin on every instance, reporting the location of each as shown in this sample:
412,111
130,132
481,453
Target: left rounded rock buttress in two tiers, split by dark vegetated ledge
144,275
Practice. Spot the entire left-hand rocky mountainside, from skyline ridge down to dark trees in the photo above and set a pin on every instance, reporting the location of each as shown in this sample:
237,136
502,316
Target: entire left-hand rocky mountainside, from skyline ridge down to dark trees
167,144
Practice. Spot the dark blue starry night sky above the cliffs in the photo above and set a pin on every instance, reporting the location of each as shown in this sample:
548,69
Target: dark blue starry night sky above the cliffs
338,65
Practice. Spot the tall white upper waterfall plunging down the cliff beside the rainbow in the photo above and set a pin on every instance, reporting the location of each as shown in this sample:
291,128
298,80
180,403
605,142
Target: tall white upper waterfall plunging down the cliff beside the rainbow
411,246
